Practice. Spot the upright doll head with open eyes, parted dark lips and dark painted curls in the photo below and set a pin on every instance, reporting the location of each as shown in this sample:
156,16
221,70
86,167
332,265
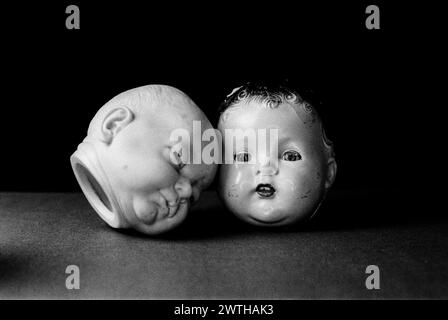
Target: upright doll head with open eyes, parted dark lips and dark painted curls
277,189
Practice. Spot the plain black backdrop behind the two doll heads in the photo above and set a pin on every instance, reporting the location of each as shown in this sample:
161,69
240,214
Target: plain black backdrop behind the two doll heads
56,79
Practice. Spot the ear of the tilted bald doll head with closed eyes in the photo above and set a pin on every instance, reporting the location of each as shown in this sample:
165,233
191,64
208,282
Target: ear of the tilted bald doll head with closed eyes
114,122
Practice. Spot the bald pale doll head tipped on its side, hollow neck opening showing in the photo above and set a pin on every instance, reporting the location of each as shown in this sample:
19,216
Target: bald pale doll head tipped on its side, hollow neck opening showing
125,166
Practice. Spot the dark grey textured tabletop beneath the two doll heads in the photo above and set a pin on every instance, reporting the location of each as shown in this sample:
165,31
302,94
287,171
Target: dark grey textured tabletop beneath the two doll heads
212,255
